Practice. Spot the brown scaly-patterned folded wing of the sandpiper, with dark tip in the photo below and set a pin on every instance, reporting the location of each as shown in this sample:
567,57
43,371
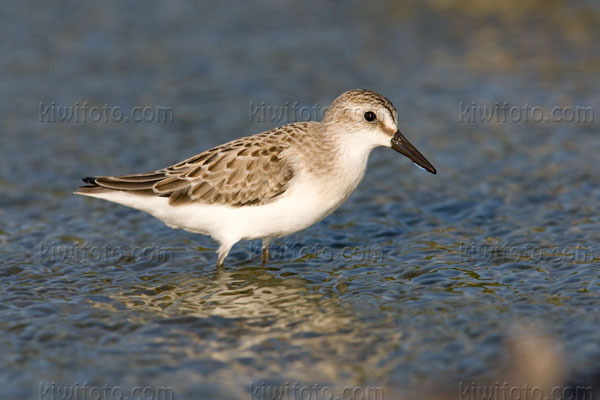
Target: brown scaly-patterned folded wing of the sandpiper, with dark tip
246,171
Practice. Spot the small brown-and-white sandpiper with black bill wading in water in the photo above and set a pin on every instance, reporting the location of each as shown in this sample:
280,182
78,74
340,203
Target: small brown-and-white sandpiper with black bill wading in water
270,184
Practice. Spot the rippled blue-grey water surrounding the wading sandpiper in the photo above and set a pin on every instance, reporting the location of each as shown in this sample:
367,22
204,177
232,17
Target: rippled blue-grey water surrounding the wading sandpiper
417,279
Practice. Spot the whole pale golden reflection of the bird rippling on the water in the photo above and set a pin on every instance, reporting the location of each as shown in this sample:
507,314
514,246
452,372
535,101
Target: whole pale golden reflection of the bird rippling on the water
241,315
